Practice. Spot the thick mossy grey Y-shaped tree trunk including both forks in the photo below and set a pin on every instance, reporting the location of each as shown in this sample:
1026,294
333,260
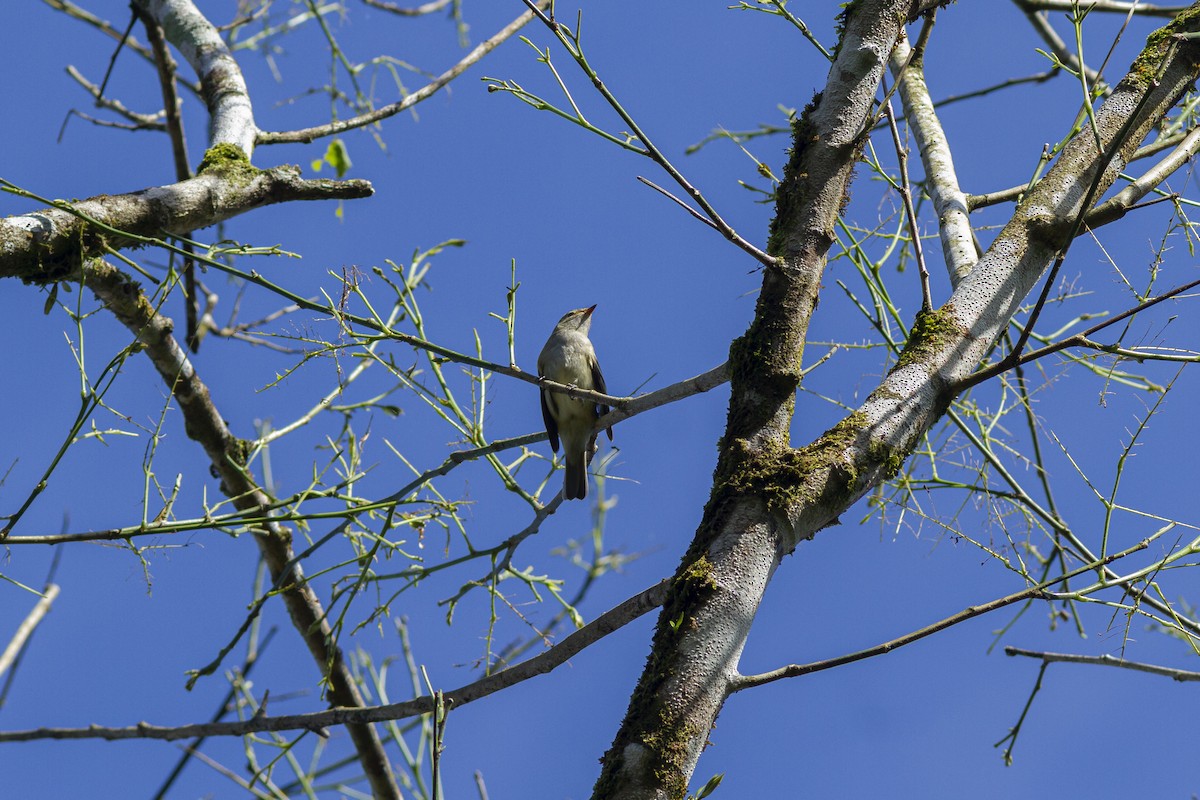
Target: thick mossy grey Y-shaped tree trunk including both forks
769,497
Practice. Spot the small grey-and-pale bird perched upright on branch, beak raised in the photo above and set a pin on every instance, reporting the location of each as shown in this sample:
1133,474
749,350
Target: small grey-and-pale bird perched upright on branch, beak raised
569,358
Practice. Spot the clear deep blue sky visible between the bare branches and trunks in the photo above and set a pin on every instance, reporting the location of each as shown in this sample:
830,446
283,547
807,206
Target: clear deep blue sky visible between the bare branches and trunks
526,187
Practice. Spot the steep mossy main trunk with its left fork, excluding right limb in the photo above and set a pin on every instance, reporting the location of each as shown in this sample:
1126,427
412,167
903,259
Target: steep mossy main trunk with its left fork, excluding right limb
746,532
